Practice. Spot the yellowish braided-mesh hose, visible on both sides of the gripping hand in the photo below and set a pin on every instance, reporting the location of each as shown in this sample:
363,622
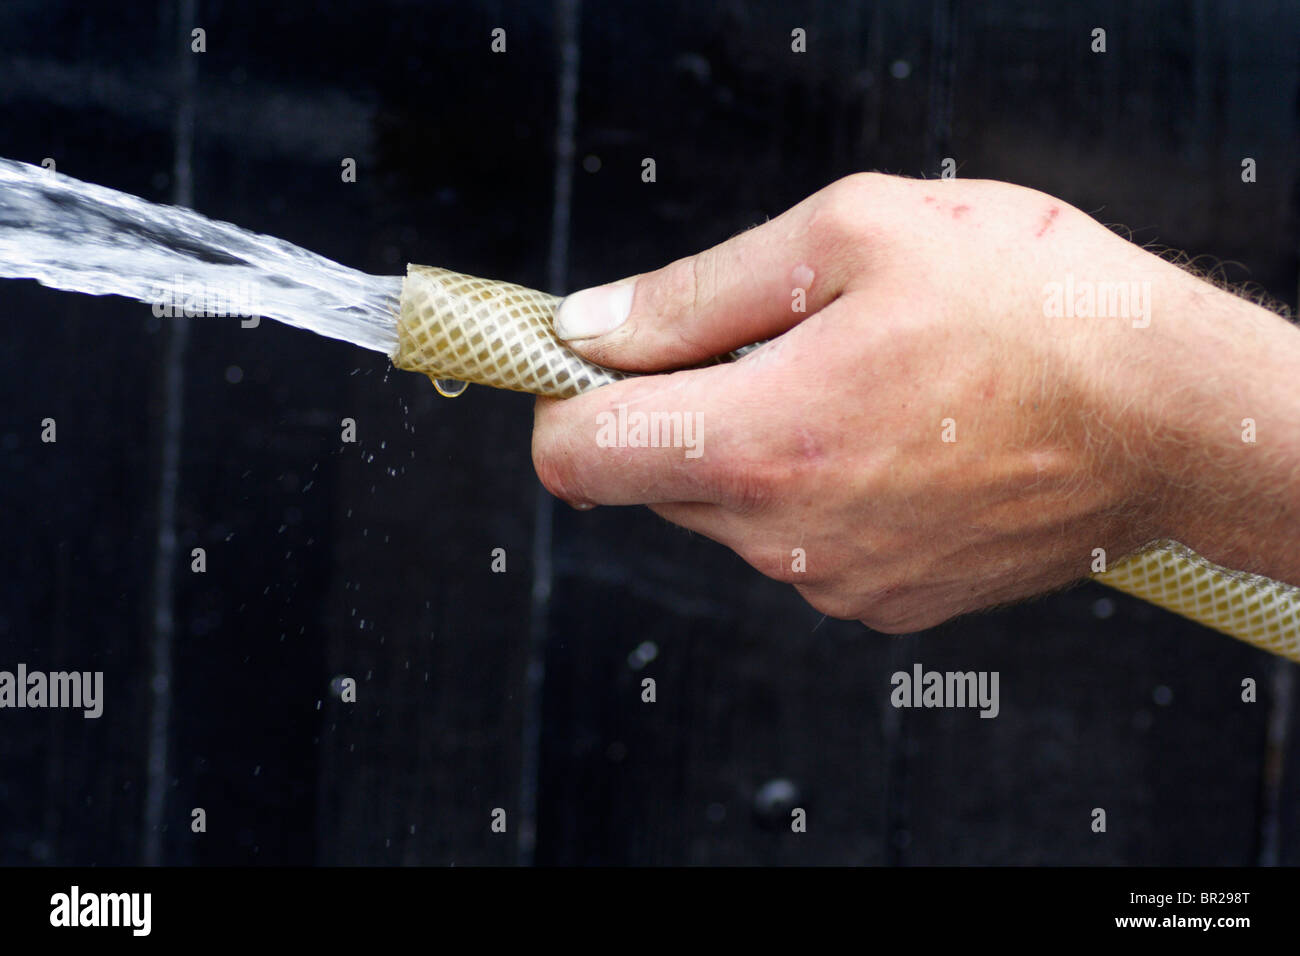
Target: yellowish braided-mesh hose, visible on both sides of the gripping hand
496,334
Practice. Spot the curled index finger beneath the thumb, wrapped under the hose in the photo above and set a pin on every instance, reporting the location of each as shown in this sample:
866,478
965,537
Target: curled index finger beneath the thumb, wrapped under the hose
648,440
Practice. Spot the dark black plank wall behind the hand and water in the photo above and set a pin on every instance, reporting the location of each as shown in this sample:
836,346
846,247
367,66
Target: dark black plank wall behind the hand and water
522,690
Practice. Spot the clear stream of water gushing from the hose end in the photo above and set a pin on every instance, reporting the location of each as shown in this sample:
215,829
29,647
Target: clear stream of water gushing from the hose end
85,239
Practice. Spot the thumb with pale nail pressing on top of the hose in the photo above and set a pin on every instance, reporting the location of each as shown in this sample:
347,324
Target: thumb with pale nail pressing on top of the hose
748,289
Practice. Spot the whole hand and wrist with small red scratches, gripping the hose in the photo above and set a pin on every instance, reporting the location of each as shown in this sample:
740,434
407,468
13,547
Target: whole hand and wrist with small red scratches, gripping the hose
983,387
